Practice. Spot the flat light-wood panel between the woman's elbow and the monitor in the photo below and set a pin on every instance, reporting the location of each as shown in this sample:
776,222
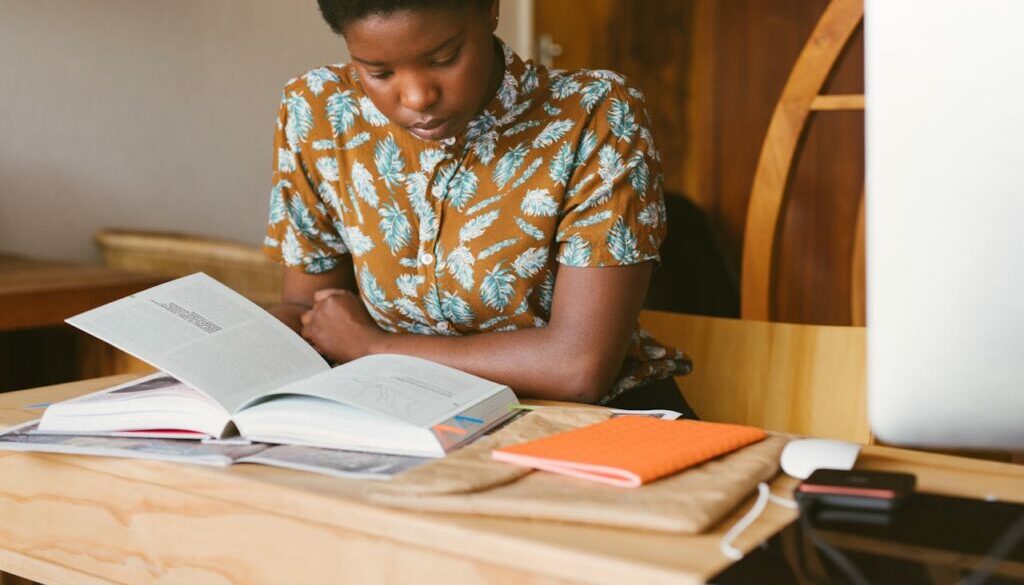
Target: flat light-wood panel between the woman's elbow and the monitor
805,380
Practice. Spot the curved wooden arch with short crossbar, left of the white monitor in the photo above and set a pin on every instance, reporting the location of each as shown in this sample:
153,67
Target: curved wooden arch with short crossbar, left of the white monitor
801,97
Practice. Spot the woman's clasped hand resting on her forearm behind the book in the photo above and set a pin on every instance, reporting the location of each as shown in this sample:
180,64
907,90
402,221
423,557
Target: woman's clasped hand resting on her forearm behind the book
339,326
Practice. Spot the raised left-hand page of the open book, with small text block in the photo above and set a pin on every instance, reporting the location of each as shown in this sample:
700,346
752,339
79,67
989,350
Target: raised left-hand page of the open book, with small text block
208,337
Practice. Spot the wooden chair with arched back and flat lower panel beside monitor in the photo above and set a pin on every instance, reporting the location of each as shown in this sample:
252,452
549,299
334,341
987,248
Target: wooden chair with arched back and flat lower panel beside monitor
806,380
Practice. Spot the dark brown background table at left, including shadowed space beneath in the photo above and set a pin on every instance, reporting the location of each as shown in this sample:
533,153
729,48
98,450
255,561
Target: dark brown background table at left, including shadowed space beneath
36,348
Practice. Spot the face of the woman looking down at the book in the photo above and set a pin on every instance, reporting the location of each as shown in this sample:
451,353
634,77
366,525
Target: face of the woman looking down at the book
429,71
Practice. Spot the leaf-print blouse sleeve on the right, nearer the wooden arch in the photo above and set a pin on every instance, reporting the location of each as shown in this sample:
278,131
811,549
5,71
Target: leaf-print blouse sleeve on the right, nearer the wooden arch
614,213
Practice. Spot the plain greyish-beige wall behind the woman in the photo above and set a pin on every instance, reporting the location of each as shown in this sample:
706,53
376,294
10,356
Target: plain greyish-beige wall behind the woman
151,114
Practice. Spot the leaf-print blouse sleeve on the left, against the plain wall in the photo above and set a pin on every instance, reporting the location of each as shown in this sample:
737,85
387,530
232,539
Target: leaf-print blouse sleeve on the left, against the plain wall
303,231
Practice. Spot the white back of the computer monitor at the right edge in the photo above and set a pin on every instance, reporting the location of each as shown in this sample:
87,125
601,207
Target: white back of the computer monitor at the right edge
945,85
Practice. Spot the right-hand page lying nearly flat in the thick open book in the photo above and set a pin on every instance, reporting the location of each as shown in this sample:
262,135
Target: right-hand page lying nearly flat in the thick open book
415,391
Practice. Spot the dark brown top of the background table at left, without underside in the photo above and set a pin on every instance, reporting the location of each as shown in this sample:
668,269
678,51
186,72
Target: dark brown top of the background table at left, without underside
41,294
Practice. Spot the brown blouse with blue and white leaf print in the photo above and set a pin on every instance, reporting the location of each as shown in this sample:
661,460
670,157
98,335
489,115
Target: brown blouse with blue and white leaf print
465,235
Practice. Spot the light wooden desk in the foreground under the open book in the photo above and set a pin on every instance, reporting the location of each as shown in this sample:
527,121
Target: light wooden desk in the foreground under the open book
94,521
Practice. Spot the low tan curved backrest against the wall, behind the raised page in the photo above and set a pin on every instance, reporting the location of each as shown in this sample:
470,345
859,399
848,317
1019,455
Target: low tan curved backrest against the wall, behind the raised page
240,267
